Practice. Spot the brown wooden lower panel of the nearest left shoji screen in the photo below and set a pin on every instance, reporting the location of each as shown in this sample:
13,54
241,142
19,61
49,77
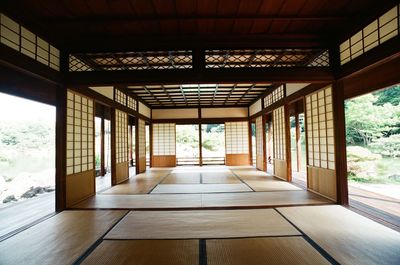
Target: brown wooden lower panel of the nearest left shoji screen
79,187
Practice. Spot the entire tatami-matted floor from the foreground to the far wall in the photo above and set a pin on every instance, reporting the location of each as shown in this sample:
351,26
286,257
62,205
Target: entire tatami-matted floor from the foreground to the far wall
254,227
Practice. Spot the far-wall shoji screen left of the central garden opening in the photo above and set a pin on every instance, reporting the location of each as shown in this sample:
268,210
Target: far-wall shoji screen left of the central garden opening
164,144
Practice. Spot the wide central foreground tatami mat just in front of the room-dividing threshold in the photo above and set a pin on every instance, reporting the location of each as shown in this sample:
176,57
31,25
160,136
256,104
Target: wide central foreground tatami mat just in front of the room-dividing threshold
201,224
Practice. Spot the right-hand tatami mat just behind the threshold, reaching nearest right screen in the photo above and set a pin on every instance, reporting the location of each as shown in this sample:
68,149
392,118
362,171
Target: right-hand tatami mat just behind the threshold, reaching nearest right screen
278,198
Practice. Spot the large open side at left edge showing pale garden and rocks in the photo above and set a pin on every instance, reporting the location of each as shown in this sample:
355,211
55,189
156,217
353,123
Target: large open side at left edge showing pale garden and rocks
27,162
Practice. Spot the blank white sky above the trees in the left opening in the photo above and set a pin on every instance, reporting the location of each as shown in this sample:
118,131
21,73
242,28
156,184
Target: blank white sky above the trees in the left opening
15,108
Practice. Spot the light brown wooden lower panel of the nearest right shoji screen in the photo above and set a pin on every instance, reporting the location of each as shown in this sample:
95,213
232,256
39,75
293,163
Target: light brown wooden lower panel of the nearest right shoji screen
322,181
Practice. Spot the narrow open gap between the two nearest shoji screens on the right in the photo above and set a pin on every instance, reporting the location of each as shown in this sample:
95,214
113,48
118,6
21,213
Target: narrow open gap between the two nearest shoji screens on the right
298,144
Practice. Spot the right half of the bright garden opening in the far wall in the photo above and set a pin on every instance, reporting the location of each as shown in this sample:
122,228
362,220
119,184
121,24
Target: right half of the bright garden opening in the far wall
213,144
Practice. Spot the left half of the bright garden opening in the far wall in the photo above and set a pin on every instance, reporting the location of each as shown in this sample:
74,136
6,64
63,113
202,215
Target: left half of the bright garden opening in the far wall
187,144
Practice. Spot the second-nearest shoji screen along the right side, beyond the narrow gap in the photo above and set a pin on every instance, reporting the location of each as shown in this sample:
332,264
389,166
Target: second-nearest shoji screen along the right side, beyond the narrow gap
280,160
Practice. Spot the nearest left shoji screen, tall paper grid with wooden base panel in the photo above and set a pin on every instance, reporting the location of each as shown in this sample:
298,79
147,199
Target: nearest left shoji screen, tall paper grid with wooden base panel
80,148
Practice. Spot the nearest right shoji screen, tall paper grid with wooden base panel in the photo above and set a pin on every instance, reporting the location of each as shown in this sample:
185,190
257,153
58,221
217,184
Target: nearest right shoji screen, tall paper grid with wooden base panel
320,143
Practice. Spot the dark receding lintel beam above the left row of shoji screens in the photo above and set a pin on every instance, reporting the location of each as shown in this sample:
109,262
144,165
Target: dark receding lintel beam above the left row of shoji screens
109,102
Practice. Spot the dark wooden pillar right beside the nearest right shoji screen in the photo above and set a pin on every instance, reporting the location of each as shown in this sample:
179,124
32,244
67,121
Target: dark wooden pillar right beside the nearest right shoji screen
340,142
